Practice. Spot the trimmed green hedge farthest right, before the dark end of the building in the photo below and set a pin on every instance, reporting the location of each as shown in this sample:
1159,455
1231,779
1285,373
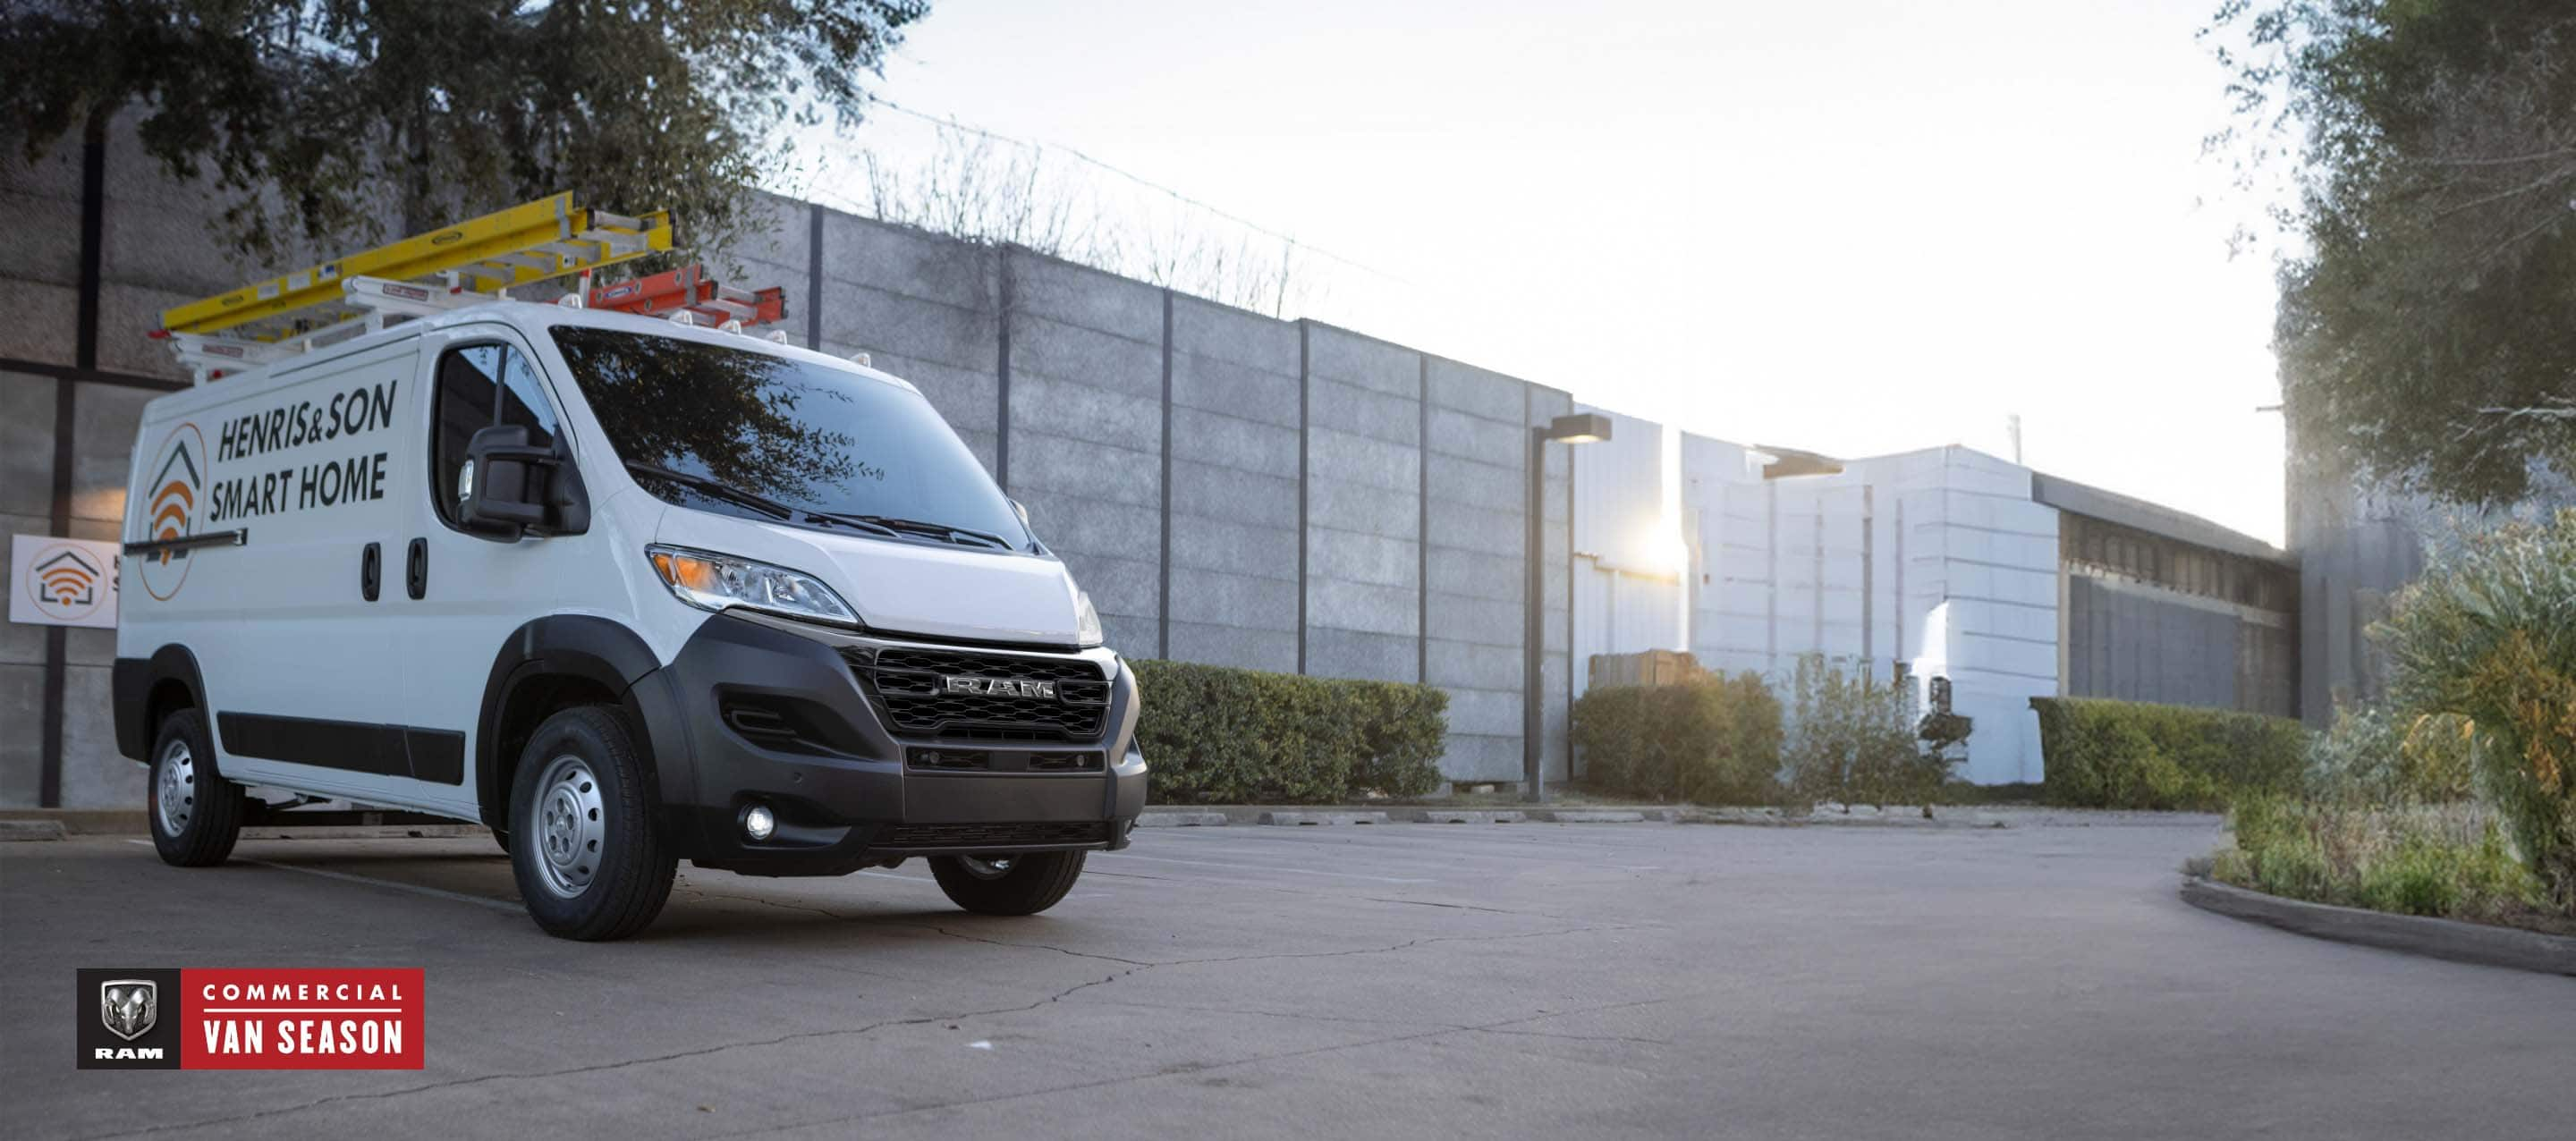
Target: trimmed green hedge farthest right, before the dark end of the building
2137,756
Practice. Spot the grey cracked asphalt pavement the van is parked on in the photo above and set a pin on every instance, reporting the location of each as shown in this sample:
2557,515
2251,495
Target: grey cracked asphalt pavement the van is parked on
1418,980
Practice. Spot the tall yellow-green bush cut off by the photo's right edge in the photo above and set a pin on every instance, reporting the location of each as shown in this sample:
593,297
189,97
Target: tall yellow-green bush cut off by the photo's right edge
2490,637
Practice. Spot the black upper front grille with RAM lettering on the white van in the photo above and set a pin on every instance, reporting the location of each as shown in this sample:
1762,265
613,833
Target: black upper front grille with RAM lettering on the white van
908,686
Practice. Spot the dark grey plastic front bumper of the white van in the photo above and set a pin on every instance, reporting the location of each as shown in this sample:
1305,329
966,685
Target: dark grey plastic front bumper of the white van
772,712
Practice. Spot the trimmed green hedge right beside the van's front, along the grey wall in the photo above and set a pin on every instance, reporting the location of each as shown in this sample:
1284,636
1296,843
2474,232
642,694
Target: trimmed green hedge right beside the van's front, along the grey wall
1220,735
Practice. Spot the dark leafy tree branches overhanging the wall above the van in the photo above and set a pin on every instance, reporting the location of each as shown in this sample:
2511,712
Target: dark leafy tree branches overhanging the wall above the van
318,115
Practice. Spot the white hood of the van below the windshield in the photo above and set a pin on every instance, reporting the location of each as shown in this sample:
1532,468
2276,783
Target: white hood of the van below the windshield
905,589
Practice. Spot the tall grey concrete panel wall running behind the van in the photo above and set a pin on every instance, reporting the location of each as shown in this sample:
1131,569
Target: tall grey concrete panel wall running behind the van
1230,488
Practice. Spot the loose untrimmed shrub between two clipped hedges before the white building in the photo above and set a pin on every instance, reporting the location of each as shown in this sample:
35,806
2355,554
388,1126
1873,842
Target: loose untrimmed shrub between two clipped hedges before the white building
1856,740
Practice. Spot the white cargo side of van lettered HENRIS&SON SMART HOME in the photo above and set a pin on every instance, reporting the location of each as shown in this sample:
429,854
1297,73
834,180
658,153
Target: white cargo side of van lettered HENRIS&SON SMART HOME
308,465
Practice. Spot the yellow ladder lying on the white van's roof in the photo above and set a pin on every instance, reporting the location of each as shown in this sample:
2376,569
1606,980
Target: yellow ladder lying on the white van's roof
444,269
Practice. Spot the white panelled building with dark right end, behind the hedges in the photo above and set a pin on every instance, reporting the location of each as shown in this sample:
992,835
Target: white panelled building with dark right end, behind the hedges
1938,563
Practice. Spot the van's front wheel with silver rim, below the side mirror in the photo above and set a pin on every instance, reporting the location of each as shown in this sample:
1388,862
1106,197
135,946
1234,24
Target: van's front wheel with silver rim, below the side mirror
612,882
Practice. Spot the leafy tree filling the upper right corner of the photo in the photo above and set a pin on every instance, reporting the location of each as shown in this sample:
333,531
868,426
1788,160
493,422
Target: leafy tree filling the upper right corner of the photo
2428,316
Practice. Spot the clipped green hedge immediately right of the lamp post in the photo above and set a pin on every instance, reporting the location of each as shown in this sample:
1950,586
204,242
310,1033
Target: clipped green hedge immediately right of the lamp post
1712,740
